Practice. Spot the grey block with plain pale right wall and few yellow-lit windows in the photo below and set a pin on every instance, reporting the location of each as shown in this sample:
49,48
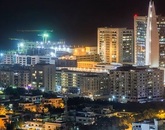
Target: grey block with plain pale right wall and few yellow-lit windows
43,76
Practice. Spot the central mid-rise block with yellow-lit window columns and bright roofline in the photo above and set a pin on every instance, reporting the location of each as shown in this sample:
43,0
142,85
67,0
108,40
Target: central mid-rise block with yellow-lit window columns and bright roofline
79,78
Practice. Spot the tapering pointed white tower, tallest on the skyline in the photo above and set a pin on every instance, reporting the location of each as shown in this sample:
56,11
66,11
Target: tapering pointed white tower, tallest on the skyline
152,38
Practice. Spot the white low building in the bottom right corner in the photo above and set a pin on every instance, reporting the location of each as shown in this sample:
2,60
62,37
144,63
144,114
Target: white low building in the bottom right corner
149,125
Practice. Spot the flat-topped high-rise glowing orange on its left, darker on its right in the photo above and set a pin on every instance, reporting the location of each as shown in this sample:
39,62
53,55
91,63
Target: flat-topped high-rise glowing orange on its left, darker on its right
115,45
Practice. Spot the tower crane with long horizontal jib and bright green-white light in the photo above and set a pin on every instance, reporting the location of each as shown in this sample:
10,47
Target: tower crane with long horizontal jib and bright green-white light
44,34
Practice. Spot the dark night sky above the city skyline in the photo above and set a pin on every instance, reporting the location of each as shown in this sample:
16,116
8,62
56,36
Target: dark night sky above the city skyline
75,21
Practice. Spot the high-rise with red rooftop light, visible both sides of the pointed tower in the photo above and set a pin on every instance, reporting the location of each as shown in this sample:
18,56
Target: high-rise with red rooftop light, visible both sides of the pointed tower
140,26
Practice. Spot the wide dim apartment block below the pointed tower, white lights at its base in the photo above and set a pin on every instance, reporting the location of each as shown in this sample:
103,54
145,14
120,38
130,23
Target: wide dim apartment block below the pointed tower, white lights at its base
135,84
